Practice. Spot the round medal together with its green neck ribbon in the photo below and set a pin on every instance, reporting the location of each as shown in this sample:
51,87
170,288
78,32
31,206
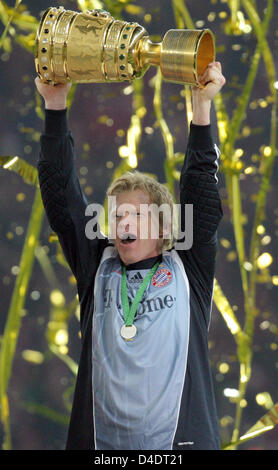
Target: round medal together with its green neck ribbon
129,330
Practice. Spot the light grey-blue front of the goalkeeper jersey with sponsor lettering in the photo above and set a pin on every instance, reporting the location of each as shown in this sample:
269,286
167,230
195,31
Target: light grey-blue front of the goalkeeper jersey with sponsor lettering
137,385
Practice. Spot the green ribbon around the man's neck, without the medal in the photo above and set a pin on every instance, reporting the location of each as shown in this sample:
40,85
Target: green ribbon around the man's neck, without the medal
129,312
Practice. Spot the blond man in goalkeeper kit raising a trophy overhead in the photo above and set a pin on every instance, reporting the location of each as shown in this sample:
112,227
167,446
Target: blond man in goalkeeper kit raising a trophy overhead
144,379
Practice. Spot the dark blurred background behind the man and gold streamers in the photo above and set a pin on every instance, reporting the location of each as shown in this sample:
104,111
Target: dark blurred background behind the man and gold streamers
97,142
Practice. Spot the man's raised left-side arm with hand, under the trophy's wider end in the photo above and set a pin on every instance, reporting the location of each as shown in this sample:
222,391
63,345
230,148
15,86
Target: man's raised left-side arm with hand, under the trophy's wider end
62,196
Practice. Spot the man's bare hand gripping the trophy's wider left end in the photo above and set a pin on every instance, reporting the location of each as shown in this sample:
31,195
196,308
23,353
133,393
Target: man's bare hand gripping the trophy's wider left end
55,97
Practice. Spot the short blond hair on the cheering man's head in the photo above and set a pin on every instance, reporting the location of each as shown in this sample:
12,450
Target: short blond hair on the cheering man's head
158,193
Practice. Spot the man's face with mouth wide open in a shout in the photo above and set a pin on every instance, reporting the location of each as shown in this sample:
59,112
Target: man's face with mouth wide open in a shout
136,228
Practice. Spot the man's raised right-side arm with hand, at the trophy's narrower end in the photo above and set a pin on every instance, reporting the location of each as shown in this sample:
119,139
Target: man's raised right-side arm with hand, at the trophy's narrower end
198,186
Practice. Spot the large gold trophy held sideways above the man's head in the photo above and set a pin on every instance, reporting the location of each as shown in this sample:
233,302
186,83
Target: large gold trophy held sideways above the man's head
94,47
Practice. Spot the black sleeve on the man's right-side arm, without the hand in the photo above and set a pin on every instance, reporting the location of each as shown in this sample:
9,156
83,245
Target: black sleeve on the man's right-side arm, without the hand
198,186
